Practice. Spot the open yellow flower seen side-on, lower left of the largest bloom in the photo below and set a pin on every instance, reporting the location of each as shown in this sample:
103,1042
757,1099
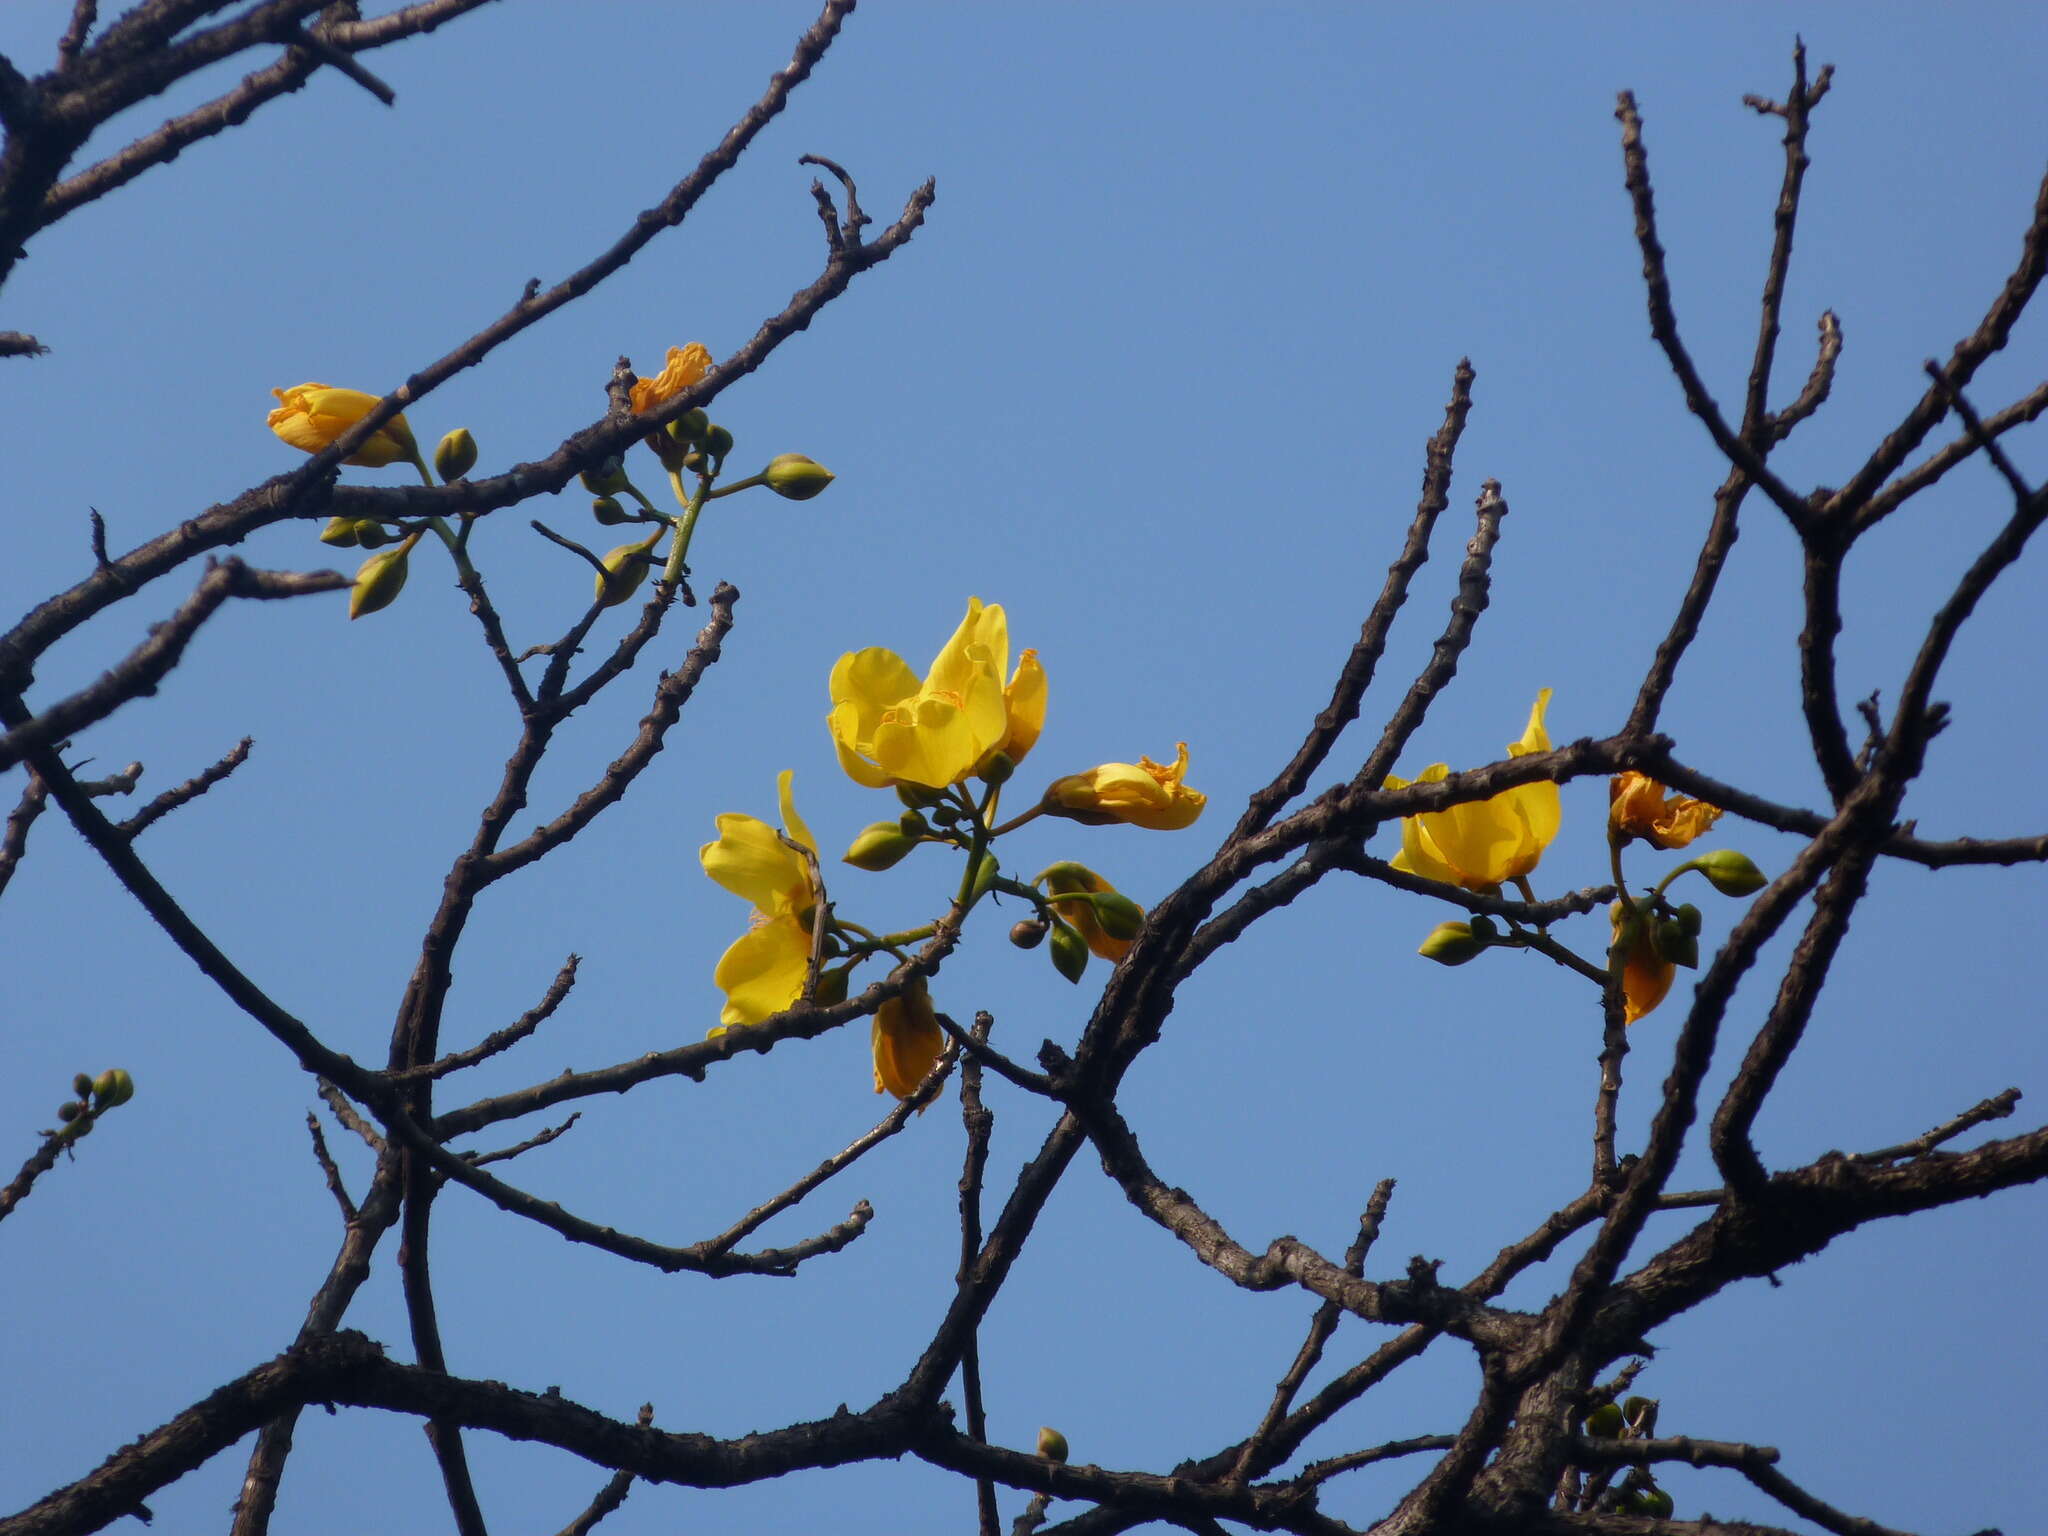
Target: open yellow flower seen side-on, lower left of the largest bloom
763,972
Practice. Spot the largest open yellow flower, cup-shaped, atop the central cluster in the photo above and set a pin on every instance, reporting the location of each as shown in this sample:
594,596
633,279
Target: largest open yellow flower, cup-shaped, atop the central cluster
894,728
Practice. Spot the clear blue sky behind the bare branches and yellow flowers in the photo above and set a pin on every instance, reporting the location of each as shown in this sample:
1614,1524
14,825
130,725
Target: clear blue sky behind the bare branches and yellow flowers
1156,376
